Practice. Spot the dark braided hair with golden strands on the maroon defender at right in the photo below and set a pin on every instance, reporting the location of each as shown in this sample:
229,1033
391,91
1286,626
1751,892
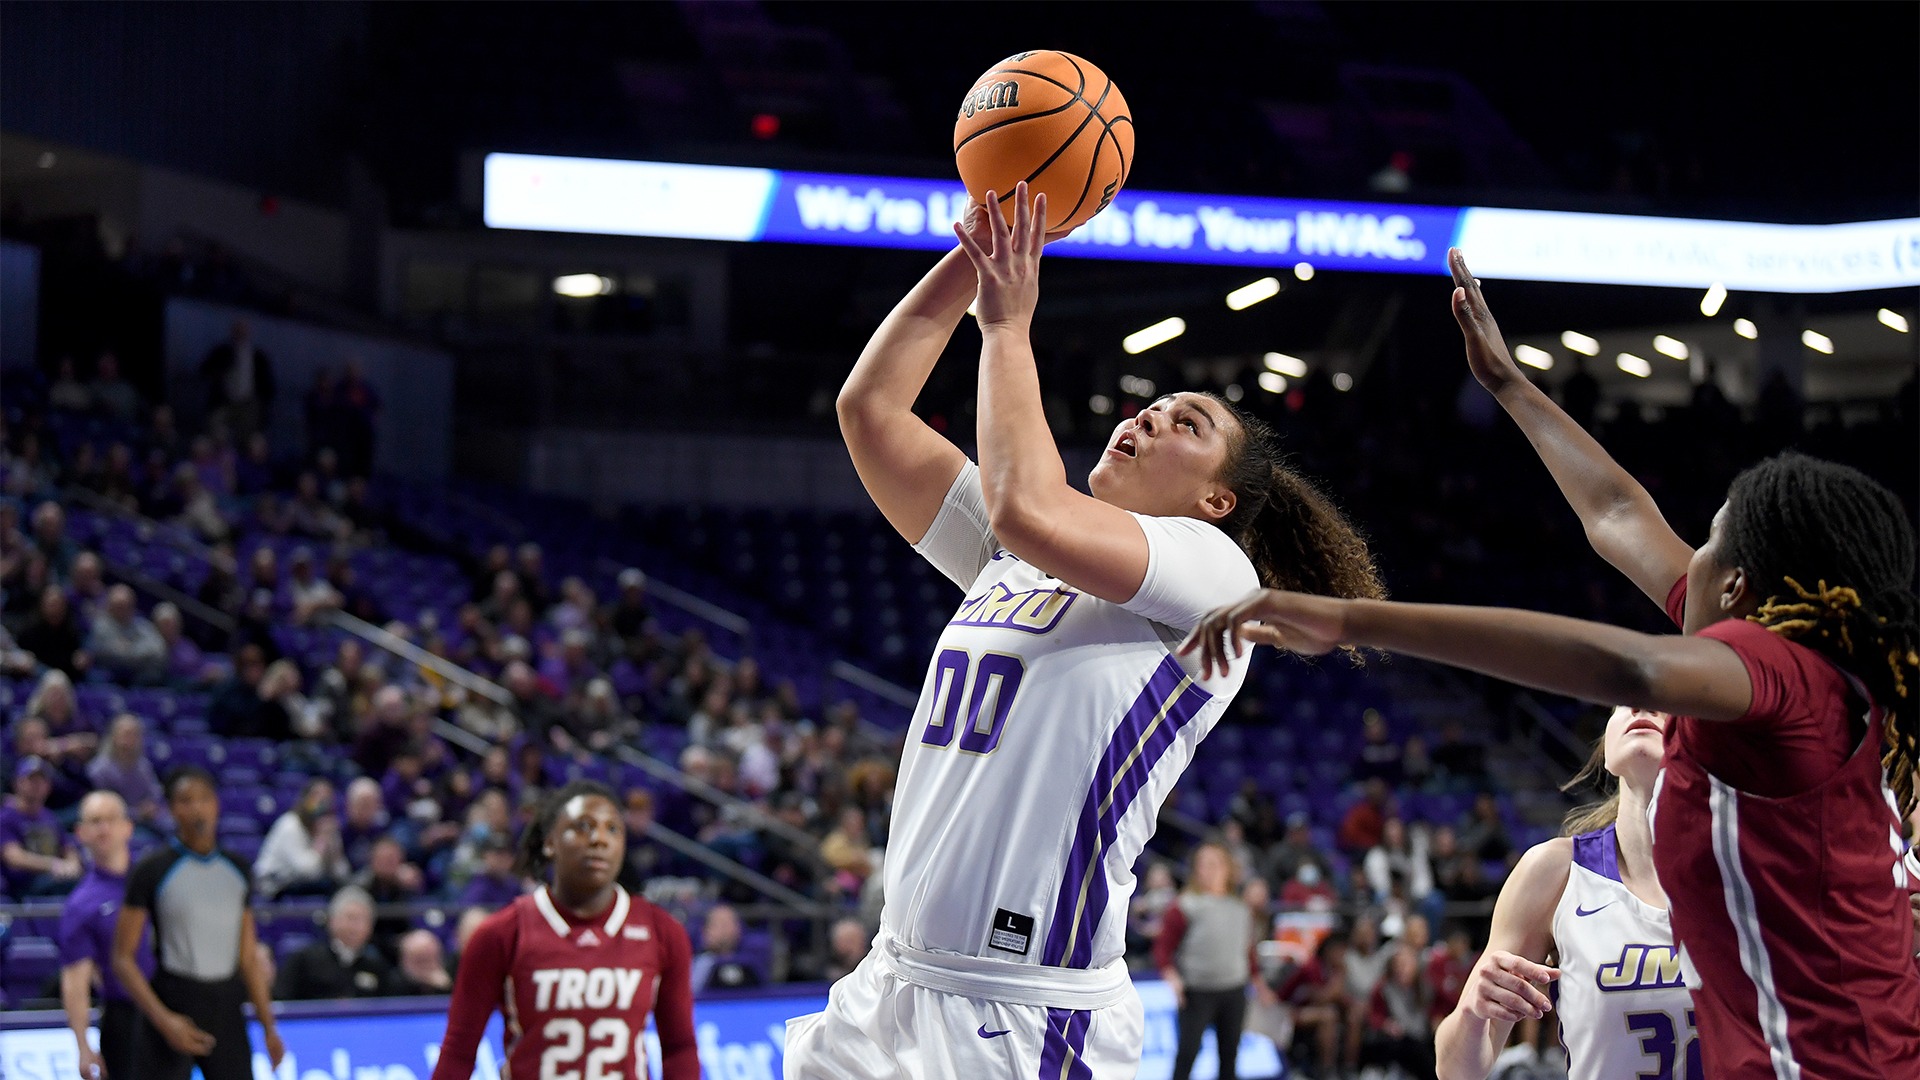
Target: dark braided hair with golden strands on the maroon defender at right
1833,554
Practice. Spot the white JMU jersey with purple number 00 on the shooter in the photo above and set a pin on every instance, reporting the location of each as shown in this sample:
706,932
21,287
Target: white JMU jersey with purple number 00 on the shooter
1049,731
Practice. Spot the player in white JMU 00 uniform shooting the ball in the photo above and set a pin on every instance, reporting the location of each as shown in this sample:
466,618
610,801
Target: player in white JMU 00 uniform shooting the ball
1055,718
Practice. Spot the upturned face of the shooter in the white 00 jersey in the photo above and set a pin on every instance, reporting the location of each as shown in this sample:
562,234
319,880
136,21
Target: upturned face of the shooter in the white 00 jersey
1166,462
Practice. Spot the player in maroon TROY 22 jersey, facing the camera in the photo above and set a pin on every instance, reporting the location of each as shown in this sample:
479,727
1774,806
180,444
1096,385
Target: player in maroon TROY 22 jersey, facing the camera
575,966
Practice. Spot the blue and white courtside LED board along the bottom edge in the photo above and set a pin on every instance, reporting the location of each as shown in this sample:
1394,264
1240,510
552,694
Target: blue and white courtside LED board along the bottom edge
740,1039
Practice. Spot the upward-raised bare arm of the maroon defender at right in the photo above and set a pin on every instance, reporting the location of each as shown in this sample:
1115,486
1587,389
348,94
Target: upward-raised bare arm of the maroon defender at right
1620,516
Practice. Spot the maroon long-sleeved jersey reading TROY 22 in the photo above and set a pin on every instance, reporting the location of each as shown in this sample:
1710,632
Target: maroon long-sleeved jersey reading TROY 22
575,993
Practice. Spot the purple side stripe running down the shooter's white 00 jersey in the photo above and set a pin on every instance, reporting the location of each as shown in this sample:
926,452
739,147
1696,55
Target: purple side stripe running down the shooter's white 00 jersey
1099,831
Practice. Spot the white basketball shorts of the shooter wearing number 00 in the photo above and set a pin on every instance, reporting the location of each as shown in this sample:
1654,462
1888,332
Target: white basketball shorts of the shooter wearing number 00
884,1023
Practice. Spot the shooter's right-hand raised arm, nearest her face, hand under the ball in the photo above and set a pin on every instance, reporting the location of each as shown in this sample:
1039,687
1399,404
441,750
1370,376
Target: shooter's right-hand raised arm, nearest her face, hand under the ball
1036,514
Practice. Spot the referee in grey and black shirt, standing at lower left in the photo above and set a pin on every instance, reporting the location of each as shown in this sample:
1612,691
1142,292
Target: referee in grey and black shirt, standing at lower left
197,896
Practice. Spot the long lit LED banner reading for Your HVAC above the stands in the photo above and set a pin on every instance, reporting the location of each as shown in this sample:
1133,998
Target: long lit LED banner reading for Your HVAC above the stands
725,203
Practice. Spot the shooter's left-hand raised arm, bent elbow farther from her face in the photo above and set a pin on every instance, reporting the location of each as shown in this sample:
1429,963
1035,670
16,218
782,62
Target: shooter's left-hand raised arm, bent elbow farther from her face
905,464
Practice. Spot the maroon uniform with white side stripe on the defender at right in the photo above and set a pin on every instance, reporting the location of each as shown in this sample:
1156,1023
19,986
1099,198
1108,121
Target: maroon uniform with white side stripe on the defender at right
1781,848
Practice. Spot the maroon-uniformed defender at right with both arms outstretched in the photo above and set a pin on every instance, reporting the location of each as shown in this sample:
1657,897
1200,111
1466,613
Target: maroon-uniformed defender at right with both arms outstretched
1794,697
